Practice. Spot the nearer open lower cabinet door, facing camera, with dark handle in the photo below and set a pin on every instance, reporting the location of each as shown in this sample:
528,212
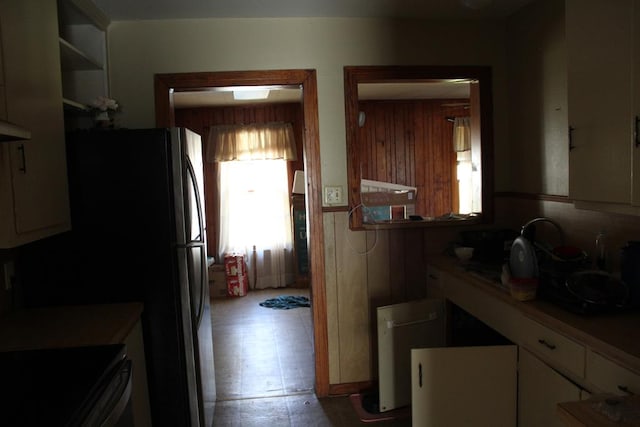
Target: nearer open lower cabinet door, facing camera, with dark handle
464,386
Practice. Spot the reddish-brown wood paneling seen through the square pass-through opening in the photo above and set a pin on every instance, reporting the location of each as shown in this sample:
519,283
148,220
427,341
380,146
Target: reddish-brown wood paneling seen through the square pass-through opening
410,143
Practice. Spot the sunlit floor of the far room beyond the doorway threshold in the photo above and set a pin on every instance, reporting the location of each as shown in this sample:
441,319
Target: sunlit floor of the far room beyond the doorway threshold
262,352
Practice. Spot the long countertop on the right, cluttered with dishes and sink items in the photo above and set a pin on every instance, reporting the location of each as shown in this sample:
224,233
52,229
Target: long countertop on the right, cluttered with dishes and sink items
609,334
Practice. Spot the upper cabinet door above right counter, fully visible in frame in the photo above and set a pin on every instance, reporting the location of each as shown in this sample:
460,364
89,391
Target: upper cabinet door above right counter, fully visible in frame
599,65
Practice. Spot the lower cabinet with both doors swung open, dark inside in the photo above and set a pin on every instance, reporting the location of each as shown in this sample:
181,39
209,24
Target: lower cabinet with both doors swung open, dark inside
471,380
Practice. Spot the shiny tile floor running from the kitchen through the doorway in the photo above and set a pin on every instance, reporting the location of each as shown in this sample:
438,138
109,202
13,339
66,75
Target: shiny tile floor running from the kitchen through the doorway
264,367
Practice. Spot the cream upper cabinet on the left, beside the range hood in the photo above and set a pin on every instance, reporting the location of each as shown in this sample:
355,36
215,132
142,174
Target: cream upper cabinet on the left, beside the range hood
33,184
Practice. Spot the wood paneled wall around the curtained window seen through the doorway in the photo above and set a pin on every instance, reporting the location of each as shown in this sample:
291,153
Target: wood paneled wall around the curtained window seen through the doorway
201,119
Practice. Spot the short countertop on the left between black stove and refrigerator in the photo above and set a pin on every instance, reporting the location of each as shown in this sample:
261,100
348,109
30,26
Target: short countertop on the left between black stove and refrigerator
68,326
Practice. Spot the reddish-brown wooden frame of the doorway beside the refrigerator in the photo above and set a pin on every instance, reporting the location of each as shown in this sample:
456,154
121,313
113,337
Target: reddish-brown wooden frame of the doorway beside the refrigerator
166,84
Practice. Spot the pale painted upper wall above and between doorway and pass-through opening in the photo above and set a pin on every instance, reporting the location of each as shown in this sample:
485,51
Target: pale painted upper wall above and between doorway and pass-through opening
139,49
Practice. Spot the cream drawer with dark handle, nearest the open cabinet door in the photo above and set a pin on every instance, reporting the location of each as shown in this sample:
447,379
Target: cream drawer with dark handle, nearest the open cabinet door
558,350
